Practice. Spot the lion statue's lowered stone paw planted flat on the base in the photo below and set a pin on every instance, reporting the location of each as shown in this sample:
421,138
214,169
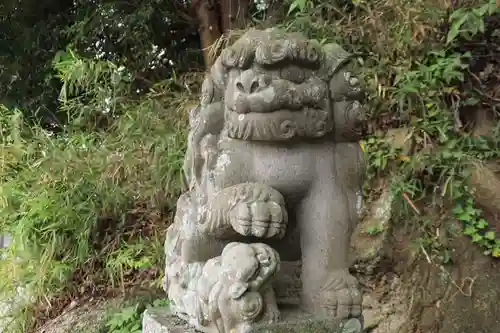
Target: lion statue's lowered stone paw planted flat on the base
340,297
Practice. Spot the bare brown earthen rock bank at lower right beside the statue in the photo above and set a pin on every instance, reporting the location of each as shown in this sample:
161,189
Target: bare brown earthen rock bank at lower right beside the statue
409,290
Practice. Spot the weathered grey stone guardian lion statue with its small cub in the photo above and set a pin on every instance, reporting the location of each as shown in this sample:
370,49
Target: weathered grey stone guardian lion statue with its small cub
274,170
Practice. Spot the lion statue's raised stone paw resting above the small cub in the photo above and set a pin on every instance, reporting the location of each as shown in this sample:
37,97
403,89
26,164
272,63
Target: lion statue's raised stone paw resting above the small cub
262,219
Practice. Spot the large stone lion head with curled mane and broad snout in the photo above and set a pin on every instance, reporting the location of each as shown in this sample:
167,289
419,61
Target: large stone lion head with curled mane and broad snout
276,86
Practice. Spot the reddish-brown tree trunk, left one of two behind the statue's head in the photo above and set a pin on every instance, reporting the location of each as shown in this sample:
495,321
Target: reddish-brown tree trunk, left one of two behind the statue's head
208,16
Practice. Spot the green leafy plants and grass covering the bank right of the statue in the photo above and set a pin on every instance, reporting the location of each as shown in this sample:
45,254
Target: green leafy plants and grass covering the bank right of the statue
414,71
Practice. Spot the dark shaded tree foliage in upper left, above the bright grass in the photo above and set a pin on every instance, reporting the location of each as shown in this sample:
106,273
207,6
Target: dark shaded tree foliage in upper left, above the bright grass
143,36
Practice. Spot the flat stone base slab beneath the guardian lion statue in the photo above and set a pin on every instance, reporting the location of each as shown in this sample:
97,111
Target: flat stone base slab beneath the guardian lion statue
161,320
